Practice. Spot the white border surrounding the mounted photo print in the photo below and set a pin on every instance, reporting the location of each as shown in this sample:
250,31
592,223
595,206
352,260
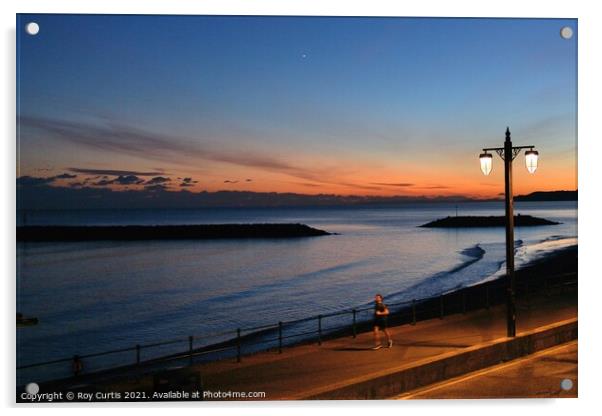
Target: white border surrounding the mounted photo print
590,29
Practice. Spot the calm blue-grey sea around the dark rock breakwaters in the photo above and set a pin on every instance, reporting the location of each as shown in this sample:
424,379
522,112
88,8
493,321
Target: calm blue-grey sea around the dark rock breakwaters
91,297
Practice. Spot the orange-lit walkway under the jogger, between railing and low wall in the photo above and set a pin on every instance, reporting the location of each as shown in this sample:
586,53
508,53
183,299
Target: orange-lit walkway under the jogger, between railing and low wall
310,370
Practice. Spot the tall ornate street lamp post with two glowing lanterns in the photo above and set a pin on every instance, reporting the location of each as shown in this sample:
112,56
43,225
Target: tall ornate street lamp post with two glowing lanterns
508,153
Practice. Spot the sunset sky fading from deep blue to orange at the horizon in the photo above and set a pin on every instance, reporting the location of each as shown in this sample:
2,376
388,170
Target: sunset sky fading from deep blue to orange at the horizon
349,106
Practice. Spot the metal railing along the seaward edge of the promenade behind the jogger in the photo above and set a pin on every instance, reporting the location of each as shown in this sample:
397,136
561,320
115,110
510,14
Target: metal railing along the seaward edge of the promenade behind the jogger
244,341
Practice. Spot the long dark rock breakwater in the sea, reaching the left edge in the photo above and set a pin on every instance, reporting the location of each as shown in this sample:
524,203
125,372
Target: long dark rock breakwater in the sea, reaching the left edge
165,232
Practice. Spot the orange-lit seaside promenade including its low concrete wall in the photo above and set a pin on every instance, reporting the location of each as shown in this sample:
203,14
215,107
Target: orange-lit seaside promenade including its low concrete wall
424,354
